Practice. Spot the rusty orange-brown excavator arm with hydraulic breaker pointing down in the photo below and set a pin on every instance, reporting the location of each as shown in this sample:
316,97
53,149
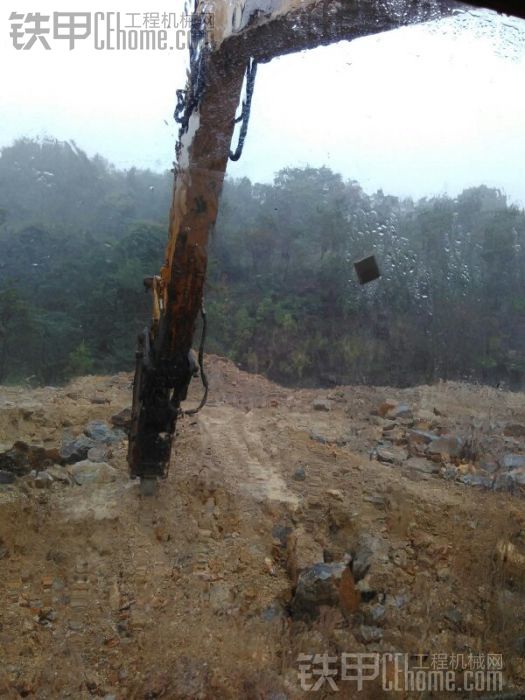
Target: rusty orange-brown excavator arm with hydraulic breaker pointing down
244,33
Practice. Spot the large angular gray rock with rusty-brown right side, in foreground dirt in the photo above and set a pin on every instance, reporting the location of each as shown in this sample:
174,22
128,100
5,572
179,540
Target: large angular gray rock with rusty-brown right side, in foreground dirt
318,585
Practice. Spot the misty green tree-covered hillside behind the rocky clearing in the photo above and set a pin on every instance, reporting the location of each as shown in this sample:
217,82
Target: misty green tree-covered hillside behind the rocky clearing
77,236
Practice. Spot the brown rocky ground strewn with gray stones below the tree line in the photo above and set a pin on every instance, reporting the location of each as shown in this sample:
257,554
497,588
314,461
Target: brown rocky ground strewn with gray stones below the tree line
355,520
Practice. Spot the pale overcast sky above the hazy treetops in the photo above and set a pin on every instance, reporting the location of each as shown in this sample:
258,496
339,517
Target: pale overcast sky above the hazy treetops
419,111
